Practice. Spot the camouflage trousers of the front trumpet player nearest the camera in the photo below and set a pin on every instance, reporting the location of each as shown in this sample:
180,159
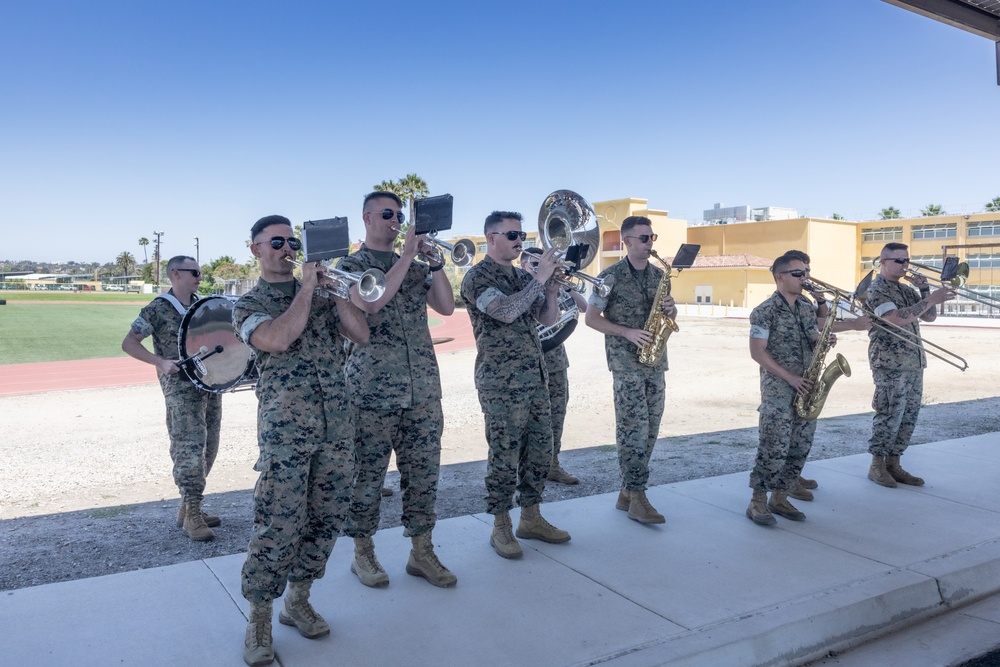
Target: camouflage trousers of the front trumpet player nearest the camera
299,506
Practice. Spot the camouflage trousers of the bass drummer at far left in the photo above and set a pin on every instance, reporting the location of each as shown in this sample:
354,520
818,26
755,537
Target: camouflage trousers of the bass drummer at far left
194,419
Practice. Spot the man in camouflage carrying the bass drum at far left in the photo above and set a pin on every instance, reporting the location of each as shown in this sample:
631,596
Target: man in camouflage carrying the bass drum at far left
194,416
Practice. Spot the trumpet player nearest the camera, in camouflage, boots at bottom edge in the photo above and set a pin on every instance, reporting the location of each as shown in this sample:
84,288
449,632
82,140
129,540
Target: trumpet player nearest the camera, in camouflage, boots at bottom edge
304,433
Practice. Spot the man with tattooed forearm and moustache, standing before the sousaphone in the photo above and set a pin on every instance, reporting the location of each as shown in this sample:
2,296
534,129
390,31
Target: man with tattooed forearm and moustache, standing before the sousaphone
505,305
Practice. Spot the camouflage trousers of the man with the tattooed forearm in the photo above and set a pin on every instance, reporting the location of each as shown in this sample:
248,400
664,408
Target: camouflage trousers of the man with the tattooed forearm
519,433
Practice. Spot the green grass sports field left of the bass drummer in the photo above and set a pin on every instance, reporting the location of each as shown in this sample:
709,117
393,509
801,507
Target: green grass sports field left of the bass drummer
65,331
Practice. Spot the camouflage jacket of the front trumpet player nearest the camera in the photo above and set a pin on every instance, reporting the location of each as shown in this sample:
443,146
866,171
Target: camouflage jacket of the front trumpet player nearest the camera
307,377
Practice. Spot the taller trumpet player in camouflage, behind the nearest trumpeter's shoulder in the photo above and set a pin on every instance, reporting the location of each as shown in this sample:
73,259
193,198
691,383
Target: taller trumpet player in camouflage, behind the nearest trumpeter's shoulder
395,389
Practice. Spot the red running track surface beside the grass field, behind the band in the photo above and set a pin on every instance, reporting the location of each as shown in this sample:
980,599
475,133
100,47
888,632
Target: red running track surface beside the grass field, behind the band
120,371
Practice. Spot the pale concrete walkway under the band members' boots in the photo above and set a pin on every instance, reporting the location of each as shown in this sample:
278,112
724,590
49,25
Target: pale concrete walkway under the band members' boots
708,588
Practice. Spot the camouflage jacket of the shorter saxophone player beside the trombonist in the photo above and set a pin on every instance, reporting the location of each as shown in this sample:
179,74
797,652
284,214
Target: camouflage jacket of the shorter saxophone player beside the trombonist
791,333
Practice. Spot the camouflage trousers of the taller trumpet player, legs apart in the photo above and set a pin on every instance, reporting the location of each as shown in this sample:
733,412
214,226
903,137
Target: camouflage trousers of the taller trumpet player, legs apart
415,435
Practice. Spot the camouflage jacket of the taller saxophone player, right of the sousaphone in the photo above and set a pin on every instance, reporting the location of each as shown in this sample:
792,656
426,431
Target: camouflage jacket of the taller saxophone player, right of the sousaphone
628,304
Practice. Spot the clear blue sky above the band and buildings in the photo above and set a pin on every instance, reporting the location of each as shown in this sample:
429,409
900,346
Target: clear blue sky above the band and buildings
121,118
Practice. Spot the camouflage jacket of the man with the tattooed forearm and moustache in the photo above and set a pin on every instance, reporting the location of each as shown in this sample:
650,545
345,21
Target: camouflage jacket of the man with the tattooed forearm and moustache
508,356
